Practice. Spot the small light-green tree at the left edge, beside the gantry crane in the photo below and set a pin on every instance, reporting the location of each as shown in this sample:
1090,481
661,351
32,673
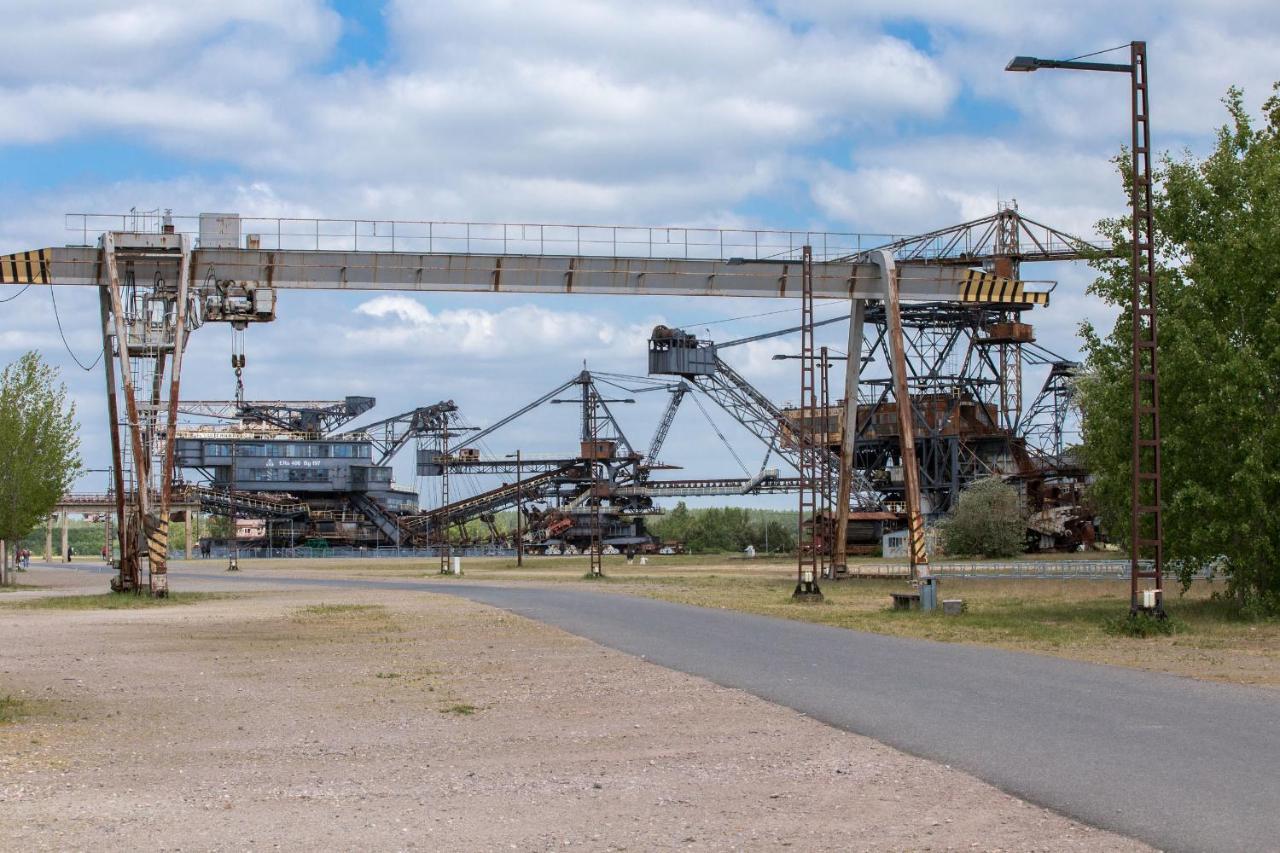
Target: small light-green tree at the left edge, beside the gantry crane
39,446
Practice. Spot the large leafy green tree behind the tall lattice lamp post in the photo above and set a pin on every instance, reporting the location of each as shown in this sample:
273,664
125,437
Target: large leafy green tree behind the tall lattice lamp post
1218,241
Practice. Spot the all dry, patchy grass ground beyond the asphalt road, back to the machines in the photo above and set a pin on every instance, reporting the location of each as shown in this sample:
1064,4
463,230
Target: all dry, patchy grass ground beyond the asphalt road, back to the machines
1067,618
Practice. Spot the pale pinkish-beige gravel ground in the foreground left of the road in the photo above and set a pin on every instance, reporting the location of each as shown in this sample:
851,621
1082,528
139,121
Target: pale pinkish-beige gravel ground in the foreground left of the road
418,722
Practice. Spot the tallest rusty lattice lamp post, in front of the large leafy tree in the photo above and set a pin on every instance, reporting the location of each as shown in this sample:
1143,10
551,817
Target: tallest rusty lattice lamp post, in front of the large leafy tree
1146,530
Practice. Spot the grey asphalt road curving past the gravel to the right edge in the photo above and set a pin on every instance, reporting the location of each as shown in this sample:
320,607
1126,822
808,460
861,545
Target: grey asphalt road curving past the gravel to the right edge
1180,764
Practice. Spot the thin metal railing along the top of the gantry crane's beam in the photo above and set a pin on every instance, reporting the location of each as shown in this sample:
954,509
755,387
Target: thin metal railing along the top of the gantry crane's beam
504,239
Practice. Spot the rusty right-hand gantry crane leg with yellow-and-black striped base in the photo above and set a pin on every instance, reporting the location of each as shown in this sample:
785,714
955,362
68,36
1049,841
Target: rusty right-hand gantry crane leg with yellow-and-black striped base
907,428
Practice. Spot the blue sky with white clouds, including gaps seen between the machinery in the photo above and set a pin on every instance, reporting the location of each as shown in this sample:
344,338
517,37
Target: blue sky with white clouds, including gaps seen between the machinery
880,117
